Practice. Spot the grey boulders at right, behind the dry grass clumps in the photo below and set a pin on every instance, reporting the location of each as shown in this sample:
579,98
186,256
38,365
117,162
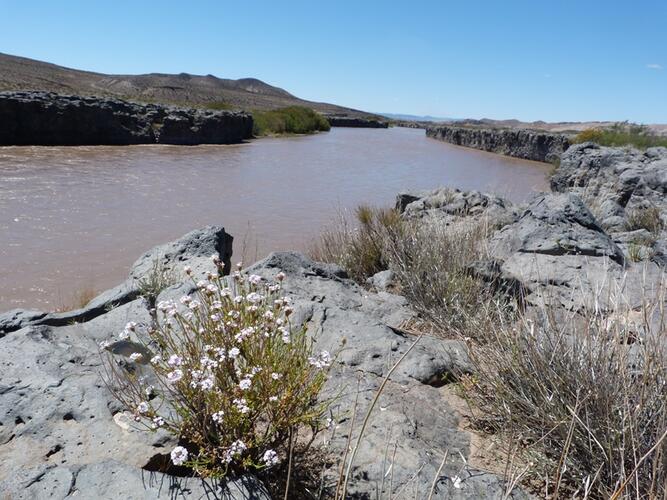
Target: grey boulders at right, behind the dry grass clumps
552,250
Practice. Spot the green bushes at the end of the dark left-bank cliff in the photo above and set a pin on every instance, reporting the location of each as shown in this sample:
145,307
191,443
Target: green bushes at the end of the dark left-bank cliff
290,120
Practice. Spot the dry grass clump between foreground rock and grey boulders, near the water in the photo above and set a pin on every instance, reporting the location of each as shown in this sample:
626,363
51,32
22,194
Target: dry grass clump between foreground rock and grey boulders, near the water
431,260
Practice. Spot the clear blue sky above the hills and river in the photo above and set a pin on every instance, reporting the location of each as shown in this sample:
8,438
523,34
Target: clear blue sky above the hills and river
549,60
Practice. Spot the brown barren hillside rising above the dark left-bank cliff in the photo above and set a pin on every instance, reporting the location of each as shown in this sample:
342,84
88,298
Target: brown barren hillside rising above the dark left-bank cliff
19,73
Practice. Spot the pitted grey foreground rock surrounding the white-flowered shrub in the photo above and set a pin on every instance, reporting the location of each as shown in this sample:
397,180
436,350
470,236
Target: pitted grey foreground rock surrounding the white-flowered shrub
63,434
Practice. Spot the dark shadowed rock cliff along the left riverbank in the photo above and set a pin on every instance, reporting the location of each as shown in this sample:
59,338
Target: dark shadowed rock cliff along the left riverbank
47,119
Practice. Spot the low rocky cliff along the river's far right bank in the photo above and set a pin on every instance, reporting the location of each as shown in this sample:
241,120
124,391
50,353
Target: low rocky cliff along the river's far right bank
519,143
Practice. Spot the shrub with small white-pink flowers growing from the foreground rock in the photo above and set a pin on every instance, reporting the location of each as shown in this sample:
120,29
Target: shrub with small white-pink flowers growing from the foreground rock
230,376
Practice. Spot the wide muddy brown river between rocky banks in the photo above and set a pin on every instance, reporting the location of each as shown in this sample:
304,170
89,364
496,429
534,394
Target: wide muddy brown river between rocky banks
75,218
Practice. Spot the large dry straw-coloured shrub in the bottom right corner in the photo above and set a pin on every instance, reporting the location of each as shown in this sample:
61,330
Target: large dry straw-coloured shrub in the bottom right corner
586,398
